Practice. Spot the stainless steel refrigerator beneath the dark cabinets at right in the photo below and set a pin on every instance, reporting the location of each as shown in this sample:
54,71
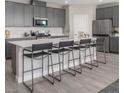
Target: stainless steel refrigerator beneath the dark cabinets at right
102,28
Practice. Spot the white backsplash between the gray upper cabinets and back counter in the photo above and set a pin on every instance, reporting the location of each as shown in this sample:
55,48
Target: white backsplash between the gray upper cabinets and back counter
18,32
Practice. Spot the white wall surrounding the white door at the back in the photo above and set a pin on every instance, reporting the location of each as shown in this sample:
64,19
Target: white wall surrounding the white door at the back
83,10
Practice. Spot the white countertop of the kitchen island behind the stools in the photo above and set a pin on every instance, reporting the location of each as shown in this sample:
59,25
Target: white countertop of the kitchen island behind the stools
28,43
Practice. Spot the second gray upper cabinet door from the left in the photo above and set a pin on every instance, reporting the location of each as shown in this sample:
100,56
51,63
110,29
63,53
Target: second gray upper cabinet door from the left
19,14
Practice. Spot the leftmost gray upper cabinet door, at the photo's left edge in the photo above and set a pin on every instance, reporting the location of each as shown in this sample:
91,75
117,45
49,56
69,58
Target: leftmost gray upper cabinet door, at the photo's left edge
9,14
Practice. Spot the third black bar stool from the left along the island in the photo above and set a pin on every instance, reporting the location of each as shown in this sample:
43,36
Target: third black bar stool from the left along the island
83,46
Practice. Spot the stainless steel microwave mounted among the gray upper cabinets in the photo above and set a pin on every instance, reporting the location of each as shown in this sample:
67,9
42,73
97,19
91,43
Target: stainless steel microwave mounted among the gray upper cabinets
40,22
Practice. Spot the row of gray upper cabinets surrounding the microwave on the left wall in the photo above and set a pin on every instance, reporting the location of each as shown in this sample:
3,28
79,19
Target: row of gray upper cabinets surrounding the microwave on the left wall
21,15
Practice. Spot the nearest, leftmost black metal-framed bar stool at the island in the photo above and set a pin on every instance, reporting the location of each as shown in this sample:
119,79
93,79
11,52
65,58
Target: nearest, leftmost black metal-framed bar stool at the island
42,51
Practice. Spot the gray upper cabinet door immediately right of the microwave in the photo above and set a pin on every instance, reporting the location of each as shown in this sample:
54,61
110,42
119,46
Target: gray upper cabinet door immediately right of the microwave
50,15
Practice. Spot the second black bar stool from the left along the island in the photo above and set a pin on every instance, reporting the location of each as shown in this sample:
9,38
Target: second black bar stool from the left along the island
64,48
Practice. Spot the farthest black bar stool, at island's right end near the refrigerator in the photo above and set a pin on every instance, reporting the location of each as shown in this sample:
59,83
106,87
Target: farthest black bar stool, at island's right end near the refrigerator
100,42
